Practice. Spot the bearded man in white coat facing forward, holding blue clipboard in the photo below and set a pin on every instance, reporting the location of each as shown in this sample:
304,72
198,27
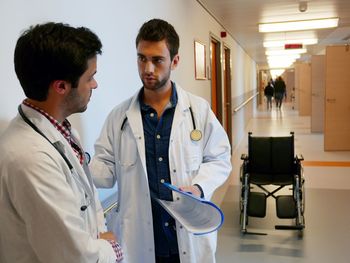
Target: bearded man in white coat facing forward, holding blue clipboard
161,134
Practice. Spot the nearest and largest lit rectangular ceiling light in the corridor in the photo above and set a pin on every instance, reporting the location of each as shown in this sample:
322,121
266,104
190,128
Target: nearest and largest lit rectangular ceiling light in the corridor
299,25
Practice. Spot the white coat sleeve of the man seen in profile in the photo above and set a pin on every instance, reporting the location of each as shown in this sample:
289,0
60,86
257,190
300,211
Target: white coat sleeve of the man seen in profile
51,213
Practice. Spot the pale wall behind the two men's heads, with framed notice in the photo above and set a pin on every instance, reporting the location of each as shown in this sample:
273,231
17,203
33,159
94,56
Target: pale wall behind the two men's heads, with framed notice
116,23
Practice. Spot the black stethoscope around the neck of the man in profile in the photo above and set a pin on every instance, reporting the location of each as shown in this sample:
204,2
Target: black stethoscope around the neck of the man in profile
58,149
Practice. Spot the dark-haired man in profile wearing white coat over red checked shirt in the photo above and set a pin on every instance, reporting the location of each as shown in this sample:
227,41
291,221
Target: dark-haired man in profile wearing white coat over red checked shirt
49,208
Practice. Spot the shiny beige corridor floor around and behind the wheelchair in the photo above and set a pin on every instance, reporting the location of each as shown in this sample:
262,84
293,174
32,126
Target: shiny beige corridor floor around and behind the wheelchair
326,237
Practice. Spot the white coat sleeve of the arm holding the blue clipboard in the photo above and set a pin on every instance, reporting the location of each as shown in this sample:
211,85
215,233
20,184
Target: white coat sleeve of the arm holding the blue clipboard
216,160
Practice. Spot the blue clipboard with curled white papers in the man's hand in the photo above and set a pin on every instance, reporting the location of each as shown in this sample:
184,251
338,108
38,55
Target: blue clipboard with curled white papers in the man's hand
197,215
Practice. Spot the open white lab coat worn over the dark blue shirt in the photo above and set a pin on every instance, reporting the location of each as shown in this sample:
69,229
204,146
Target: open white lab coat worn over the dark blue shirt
120,157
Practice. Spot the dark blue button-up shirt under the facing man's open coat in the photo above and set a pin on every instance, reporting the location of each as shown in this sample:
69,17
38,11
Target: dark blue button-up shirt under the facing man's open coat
157,135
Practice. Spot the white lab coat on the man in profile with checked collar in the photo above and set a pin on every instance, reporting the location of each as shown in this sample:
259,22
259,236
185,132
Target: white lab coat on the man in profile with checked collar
40,200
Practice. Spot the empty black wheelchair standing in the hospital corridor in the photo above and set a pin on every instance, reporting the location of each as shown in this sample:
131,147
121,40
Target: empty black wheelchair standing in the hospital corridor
271,161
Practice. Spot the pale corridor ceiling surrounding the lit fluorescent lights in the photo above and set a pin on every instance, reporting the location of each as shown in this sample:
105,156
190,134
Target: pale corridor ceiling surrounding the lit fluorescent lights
240,18
